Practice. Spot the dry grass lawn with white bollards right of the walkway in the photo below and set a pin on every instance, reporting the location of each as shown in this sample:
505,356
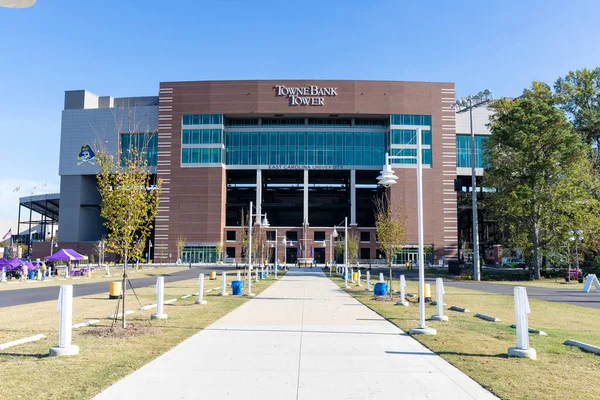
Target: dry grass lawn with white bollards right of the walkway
479,348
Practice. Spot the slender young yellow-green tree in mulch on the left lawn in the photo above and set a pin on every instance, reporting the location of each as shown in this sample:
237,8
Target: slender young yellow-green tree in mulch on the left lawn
128,206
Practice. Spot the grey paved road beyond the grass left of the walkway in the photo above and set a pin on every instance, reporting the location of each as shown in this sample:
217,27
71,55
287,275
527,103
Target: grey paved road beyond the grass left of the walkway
34,295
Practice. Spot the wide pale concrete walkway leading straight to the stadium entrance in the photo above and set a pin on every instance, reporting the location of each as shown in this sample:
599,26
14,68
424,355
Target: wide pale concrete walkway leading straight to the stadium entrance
302,338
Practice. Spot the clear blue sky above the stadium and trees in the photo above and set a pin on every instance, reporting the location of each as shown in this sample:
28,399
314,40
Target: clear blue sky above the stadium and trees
125,48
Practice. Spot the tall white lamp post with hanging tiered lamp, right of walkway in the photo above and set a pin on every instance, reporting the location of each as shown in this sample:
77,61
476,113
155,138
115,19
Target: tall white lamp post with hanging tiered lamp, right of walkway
388,178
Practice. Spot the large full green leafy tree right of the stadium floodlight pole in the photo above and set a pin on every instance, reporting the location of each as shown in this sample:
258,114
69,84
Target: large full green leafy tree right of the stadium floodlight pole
535,164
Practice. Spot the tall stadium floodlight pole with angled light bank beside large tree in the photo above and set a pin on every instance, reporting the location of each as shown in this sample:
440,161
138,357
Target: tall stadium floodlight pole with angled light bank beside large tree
463,105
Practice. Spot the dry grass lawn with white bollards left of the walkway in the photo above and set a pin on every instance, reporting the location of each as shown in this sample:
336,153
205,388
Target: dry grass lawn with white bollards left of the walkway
28,372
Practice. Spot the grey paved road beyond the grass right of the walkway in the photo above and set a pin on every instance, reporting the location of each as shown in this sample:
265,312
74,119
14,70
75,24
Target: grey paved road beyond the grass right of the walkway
556,295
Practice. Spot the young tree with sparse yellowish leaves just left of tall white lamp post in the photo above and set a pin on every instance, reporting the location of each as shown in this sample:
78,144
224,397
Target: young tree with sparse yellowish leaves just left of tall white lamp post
390,225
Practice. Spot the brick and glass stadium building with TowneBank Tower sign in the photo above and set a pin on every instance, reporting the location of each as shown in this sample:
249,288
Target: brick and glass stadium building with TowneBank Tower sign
305,152
